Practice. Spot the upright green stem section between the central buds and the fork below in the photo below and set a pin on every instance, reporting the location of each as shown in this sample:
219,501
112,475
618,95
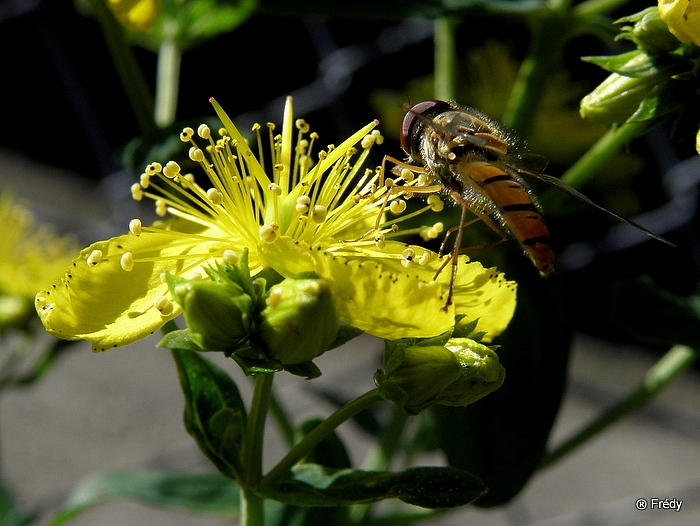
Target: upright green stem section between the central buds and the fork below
251,453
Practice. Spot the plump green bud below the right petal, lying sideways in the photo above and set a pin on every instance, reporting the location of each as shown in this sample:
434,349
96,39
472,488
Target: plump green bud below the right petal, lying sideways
416,377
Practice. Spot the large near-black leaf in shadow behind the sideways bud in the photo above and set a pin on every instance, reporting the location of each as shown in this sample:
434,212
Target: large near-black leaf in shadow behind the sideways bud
502,437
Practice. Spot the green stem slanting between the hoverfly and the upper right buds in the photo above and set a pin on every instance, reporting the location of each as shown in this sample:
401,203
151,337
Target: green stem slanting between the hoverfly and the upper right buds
590,162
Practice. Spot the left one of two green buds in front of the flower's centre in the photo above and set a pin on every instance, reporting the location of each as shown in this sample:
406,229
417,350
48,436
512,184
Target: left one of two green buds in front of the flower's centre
217,313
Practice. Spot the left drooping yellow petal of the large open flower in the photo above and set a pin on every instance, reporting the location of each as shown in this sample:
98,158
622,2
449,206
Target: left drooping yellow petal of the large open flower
102,303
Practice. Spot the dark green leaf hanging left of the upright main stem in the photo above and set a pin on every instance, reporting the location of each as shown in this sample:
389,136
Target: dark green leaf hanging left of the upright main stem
214,412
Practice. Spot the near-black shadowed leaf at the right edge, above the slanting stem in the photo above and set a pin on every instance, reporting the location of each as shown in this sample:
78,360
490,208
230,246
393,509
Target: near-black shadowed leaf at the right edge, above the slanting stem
655,314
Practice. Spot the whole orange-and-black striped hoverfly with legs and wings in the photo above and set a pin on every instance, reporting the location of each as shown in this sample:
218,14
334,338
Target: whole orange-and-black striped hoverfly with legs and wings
471,158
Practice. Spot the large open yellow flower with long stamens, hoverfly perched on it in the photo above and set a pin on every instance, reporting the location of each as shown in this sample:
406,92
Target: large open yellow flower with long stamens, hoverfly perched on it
295,215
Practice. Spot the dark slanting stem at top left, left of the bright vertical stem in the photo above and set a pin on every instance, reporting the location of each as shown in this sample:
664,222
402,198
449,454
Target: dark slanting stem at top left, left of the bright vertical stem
132,80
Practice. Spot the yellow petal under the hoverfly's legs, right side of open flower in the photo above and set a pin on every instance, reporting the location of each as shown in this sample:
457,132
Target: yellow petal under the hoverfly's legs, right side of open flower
375,293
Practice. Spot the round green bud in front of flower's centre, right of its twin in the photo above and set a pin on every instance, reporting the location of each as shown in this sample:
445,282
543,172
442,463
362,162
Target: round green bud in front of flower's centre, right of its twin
300,321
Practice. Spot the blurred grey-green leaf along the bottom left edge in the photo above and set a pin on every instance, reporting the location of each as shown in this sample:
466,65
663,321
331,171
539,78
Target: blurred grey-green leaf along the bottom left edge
199,493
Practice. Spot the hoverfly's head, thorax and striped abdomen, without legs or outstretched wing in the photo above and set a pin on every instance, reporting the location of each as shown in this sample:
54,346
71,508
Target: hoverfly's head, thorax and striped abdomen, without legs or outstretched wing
468,153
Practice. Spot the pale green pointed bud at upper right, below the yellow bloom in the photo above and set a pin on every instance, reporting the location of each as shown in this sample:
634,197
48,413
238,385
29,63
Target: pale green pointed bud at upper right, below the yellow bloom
619,96
